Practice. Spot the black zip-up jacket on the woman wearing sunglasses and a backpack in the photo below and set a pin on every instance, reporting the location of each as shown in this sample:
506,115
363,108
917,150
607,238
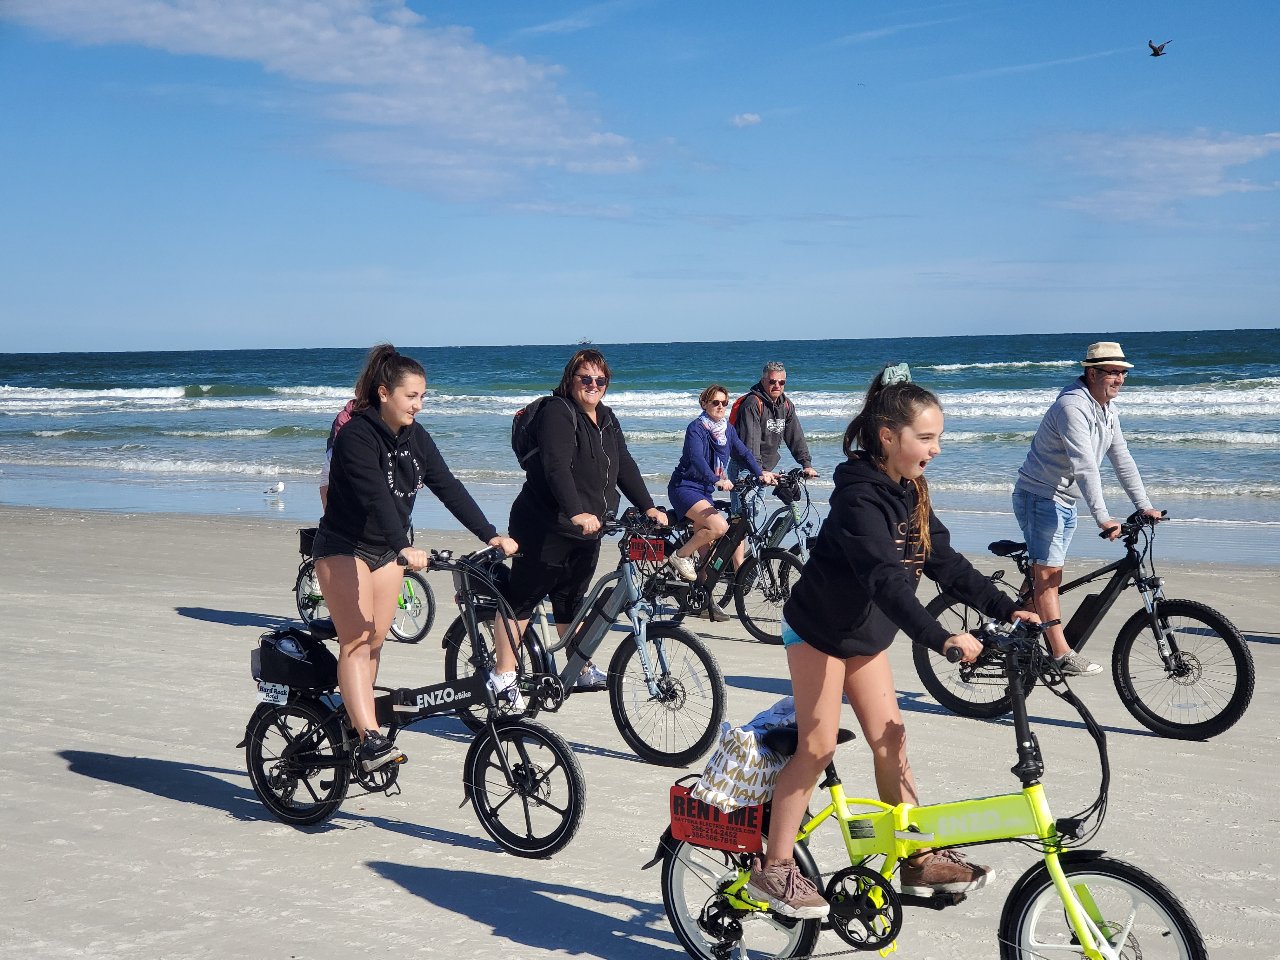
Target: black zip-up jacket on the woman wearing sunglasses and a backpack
579,469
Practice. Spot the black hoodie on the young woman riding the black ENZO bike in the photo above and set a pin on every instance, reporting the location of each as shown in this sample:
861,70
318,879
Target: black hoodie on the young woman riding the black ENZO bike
376,477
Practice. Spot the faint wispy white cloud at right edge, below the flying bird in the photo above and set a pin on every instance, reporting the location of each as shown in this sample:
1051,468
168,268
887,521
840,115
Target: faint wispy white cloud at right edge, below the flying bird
1151,176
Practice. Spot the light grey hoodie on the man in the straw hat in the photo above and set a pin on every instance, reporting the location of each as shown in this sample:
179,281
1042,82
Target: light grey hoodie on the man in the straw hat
1068,449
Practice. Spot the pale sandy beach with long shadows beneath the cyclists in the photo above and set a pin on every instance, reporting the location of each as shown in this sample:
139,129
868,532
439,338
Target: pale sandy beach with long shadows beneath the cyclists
129,826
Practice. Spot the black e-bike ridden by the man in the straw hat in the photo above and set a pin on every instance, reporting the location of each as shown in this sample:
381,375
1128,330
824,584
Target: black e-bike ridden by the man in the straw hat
1182,669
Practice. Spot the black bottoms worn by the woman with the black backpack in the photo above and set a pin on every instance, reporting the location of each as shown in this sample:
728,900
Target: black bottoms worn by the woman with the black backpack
555,566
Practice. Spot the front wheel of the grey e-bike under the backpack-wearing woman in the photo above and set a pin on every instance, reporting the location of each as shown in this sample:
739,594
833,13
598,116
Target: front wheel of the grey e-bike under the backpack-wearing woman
671,715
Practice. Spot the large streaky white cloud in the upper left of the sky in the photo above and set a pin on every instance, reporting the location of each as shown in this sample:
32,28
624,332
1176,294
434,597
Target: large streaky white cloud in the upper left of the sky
409,103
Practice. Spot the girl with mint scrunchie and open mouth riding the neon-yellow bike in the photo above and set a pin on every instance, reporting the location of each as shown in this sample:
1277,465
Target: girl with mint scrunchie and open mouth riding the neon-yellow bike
857,592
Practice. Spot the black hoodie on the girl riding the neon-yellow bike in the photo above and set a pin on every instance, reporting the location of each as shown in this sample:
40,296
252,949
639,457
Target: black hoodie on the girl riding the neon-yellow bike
858,588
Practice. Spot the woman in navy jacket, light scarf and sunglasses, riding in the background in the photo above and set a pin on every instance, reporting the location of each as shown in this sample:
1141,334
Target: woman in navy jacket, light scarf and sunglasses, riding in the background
711,442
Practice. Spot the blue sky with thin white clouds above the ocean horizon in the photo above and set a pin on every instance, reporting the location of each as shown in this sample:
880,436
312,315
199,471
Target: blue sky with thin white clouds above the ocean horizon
286,173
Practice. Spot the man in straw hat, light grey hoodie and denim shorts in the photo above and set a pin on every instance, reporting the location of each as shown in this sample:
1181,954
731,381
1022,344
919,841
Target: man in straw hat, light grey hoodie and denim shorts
1063,467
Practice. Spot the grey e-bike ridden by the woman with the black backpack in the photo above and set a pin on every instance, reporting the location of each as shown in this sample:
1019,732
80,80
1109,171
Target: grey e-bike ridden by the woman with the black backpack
666,689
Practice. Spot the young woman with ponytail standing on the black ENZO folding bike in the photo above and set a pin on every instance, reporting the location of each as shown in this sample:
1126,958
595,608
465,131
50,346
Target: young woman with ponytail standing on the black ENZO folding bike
381,460
